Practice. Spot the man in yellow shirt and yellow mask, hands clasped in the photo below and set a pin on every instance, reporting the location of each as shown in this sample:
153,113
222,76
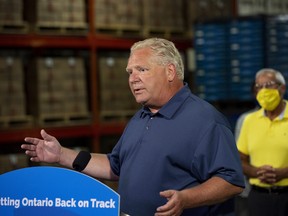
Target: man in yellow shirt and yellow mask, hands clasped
263,147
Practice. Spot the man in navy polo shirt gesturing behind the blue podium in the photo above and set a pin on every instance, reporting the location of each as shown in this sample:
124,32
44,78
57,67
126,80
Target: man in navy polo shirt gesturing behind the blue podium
177,155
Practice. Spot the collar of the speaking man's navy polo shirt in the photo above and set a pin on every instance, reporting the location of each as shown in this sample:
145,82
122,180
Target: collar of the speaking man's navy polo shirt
169,109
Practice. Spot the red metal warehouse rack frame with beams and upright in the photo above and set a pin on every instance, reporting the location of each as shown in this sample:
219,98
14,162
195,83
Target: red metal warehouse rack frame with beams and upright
93,43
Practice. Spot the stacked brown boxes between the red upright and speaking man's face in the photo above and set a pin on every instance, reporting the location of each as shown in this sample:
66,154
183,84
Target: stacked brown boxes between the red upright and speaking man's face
116,98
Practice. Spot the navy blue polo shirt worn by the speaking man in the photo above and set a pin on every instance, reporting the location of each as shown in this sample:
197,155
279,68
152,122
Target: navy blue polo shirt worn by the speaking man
187,142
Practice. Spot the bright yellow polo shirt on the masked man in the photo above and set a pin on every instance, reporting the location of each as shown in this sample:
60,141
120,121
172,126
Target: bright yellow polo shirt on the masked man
265,141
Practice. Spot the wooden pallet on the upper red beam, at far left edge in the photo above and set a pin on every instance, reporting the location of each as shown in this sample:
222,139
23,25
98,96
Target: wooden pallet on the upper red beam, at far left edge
14,28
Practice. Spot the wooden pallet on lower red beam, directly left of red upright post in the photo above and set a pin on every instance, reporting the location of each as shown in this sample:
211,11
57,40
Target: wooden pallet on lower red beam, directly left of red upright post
64,119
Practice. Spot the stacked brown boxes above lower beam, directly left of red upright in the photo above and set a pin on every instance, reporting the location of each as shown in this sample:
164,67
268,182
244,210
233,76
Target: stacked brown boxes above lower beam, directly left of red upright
61,91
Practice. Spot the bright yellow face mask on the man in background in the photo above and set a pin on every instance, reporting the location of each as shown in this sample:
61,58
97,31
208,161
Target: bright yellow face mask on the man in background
268,98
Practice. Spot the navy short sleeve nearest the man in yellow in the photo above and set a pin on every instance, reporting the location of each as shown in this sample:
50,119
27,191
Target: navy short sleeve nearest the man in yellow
217,155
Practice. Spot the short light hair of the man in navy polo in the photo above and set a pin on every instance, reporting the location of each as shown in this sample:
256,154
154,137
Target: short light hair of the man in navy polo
165,51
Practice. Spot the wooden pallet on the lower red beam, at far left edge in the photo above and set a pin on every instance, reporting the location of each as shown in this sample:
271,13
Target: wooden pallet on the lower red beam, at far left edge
15,121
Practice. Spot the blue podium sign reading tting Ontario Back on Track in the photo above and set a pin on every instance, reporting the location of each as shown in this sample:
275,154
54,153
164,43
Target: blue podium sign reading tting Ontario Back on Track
50,191
